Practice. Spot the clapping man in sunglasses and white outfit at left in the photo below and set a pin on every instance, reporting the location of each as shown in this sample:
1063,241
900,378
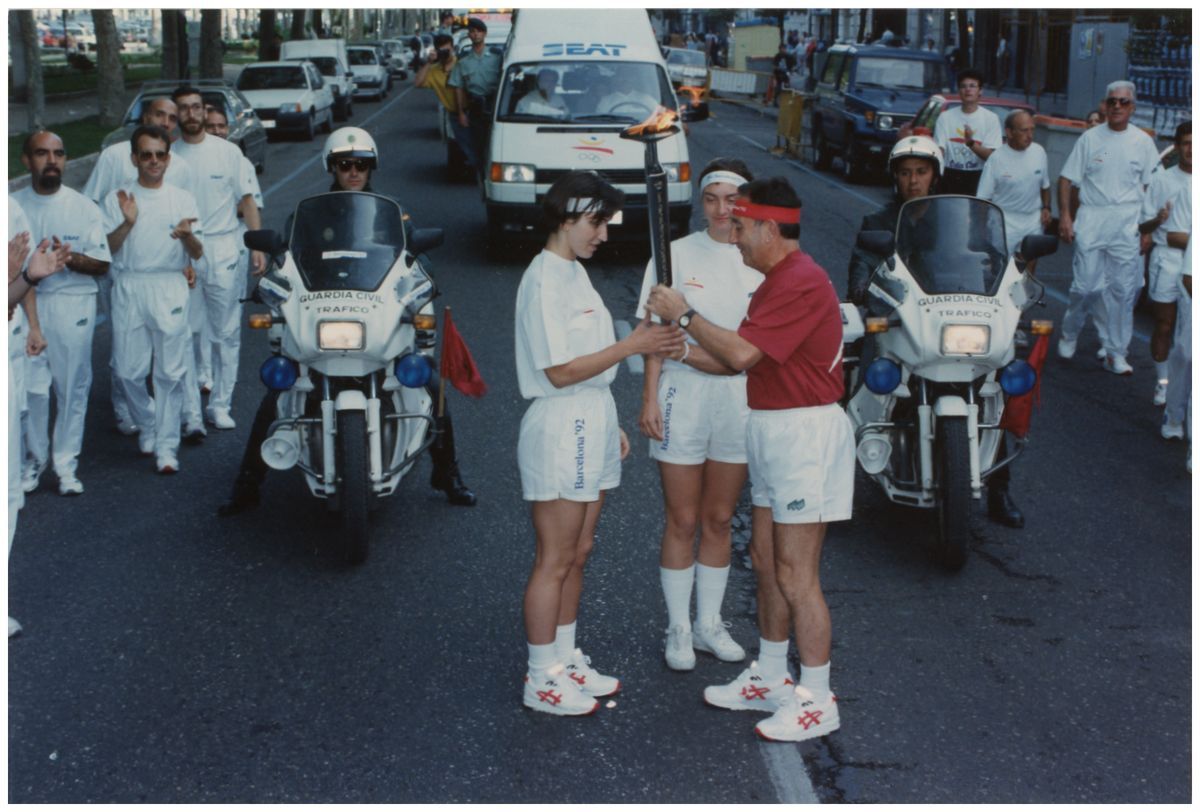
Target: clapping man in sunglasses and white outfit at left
153,232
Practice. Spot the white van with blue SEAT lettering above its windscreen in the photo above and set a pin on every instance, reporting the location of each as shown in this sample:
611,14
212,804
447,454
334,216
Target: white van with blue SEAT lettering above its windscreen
599,71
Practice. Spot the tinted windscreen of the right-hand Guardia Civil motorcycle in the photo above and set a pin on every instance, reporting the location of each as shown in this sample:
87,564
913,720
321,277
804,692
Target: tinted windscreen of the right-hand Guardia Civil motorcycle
953,244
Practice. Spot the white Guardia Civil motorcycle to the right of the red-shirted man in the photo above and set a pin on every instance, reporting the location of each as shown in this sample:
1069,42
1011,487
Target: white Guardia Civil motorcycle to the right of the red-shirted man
944,309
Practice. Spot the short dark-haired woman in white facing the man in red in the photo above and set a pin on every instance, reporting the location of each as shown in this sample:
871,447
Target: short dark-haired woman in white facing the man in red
571,447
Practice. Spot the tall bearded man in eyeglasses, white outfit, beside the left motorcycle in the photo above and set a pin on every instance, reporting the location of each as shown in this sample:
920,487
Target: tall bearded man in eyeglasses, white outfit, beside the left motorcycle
221,194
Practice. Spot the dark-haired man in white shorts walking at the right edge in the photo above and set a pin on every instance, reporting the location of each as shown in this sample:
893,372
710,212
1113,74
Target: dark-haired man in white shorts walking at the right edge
1167,187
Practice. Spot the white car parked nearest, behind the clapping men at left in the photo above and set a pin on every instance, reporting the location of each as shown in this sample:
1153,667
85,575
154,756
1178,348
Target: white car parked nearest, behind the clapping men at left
289,97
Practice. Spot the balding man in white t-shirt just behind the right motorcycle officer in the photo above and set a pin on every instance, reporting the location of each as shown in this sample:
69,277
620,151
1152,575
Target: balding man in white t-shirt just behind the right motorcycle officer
1016,178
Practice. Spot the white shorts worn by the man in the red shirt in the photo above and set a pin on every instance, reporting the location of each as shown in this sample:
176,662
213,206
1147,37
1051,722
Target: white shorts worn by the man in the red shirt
802,464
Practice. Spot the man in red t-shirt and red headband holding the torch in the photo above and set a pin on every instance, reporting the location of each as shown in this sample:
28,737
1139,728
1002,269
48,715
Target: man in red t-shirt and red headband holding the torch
801,450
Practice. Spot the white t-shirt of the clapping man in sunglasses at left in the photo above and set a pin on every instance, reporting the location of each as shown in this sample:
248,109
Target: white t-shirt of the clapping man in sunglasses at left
149,248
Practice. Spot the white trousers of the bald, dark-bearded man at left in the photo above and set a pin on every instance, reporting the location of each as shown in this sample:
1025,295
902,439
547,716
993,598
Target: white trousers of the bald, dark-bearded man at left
69,323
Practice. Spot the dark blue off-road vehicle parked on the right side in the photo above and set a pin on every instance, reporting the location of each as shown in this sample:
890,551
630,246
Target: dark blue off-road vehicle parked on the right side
865,94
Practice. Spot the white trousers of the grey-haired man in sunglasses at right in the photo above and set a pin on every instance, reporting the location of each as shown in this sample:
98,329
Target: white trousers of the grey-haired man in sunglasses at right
1107,275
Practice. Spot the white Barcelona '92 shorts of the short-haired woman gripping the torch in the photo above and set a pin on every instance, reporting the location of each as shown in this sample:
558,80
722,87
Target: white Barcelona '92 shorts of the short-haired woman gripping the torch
571,447
